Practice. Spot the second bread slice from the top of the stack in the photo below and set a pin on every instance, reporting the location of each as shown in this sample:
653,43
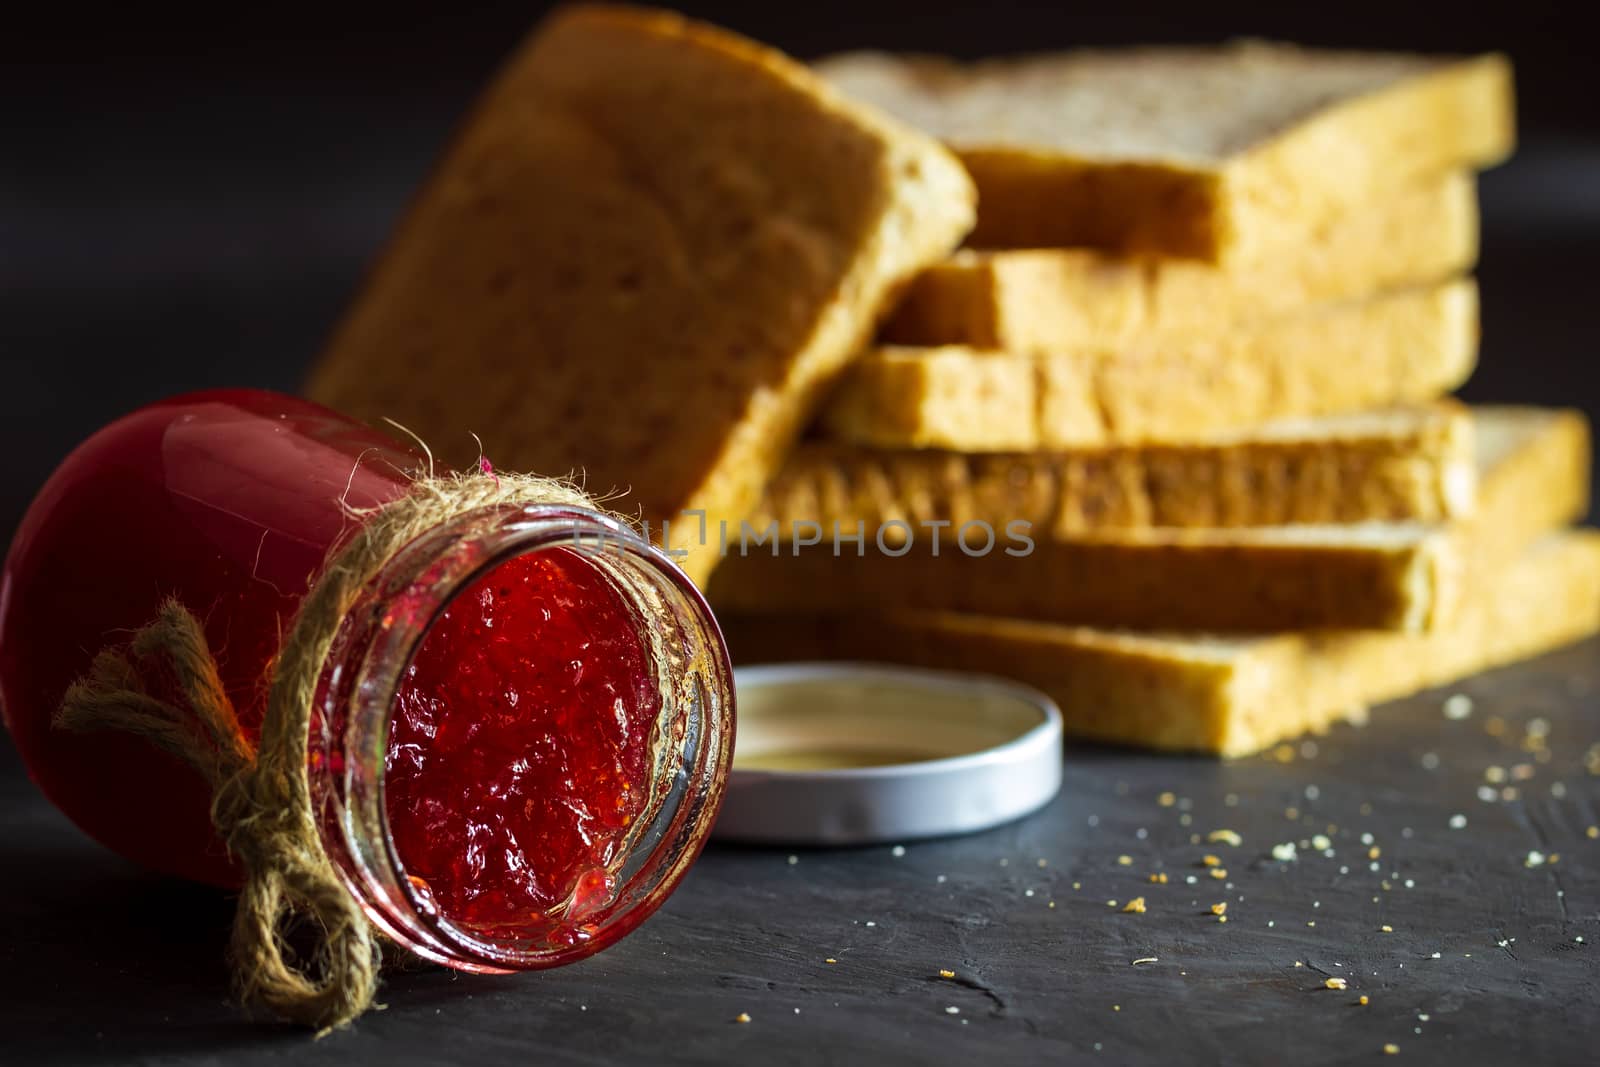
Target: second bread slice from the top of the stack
1044,300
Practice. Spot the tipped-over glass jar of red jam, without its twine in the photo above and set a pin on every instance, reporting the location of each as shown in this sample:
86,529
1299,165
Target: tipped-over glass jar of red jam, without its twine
231,503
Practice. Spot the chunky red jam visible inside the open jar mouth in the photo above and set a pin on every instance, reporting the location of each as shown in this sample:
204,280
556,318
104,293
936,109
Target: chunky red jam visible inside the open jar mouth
521,749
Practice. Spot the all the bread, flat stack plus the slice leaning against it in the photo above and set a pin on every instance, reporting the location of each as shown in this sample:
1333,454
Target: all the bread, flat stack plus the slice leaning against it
1188,370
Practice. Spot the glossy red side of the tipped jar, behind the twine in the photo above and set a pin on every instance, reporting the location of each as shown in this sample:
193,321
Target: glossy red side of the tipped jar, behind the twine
228,502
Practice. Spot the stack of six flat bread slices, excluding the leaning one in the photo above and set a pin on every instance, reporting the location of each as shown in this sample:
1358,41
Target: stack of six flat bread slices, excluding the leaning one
1178,407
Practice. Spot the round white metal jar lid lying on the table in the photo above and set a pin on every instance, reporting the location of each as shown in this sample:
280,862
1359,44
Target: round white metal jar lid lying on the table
854,754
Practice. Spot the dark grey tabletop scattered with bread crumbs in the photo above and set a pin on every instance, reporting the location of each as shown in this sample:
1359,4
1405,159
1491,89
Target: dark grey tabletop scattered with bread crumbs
103,962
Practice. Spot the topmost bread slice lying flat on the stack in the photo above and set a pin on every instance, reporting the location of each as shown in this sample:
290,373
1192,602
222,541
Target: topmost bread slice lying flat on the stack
1218,154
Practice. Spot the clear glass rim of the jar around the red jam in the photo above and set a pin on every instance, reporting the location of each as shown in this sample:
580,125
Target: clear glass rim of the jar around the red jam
353,717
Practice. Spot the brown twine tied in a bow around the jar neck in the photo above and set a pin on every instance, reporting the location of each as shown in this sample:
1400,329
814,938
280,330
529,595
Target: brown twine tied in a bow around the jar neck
262,799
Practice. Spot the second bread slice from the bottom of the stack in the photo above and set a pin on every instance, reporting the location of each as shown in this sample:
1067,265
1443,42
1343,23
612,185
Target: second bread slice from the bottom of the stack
1396,577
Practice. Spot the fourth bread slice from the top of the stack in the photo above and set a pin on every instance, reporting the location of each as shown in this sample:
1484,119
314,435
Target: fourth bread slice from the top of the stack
1374,466
